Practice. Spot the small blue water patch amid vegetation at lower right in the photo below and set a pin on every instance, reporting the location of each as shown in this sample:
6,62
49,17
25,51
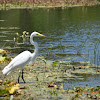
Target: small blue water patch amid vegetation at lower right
92,80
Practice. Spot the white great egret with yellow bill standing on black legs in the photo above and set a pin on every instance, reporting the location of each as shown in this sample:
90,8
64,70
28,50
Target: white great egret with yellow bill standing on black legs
26,57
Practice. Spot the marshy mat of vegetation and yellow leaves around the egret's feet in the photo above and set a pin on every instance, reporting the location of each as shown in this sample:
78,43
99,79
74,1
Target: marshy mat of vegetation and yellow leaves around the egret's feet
49,85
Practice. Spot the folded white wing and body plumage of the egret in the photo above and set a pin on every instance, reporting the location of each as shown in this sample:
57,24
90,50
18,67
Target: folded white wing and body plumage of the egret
19,61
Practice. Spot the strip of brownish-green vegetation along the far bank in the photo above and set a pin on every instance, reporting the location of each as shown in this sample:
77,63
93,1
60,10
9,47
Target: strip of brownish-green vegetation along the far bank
46,3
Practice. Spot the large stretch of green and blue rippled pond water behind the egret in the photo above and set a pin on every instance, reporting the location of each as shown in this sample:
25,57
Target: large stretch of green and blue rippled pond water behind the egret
73,33
